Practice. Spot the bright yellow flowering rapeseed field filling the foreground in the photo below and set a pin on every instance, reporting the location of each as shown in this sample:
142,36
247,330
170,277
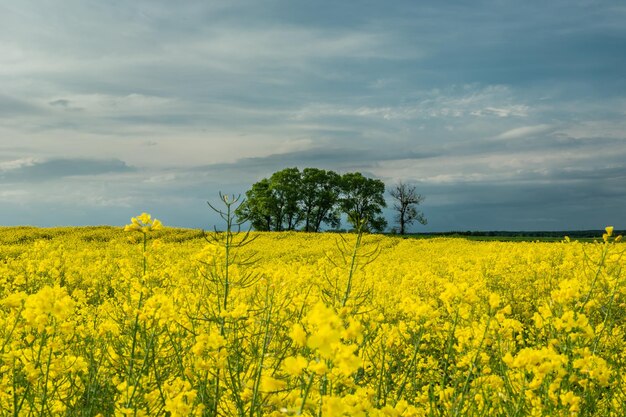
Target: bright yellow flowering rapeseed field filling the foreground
154,321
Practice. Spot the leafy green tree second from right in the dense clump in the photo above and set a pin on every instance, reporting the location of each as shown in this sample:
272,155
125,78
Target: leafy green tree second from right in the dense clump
320,192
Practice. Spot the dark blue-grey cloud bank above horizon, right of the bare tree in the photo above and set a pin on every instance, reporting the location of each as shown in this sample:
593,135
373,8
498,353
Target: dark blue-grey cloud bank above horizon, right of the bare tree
556,203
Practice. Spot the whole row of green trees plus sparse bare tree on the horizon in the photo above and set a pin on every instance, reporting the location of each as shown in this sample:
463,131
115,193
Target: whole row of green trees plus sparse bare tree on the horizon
313,198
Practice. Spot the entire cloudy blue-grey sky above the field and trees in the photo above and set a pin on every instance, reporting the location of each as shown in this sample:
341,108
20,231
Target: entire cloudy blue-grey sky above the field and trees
506,115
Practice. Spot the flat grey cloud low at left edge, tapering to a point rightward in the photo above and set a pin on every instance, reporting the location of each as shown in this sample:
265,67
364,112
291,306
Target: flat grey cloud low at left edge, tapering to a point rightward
34,170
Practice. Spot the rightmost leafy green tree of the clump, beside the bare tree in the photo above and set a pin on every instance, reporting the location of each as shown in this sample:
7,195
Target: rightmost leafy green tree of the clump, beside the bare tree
363,200
